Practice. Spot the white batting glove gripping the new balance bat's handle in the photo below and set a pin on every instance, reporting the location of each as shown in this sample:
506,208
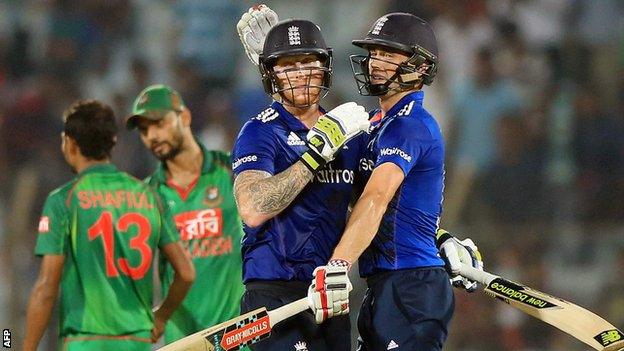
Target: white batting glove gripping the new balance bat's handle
455,252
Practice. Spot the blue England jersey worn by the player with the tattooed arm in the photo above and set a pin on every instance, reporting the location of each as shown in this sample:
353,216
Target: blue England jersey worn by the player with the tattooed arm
290,245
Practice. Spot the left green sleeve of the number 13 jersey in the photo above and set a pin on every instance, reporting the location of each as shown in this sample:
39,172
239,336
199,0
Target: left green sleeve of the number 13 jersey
53,227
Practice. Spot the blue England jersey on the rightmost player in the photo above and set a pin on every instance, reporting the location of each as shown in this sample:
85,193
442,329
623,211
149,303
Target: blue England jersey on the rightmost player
409,137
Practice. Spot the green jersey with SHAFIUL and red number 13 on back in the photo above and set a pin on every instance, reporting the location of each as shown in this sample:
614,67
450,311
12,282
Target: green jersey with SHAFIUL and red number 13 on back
108,225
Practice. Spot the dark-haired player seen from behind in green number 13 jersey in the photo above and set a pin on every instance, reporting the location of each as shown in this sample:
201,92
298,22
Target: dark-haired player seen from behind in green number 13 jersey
98,235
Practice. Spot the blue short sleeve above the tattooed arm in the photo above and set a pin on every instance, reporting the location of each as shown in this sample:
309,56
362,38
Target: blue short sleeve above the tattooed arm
254,148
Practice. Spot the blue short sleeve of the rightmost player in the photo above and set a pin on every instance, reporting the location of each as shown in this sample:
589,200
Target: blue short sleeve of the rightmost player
401,142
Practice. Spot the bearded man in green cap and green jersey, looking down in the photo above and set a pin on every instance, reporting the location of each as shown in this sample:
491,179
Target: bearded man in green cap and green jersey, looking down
196,186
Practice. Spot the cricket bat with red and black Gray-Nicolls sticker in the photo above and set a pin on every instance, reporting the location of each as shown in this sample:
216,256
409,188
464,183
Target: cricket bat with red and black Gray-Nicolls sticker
243,330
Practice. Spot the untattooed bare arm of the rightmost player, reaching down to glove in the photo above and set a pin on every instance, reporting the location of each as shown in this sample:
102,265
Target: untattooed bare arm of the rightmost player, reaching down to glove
368,211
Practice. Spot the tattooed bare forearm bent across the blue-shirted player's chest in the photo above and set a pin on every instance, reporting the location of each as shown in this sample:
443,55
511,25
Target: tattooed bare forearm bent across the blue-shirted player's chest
260,196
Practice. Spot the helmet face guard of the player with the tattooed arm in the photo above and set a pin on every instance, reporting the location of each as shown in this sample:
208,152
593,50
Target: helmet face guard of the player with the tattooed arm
281,82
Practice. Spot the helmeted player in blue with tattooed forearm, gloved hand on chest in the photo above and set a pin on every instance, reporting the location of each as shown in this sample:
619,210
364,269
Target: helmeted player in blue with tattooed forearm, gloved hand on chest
296,167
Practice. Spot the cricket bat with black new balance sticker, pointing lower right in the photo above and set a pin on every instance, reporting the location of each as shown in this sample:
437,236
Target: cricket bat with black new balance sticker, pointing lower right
580,323
